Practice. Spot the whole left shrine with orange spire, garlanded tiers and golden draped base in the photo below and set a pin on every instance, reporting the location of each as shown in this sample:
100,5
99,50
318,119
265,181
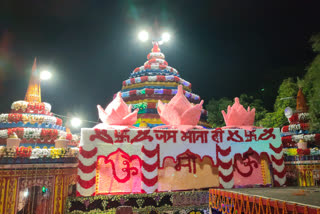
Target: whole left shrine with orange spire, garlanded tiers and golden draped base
38,156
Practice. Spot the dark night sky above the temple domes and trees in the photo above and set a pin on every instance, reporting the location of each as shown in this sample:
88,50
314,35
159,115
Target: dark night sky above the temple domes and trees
224,48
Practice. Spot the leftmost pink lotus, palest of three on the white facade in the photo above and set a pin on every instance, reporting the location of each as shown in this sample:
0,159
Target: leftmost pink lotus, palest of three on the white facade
117,115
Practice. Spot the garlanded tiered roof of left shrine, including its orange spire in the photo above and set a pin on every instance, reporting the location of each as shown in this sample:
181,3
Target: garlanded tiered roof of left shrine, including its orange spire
31,121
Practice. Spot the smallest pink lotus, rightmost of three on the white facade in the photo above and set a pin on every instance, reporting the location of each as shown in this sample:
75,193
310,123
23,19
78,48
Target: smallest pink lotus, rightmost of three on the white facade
238,117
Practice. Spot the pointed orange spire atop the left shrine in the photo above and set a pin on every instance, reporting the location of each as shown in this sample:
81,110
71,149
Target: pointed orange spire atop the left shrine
34,90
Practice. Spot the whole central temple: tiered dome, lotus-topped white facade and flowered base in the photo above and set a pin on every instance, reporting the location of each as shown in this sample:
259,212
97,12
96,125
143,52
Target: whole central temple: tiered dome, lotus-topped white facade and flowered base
146,168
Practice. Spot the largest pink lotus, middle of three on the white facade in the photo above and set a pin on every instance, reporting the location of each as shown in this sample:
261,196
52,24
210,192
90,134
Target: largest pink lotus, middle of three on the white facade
179,113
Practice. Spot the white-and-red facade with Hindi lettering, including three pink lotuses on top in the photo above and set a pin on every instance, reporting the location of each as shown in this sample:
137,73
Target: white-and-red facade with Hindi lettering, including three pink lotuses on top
117,158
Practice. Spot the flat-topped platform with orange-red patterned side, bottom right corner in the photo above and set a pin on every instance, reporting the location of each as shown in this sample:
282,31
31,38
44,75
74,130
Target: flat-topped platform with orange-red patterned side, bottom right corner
271,200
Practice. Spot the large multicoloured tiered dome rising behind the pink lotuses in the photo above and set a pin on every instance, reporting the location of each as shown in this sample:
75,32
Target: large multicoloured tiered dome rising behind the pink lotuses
154,81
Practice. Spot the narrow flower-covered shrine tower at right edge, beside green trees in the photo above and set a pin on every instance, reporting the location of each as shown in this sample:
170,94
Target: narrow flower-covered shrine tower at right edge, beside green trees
302,156
